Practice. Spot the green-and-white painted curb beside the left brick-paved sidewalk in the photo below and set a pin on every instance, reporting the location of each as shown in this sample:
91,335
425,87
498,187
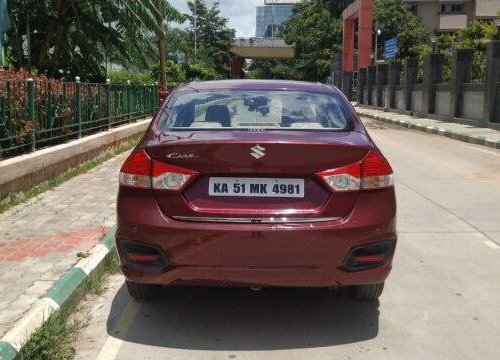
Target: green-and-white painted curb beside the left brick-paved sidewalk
59,293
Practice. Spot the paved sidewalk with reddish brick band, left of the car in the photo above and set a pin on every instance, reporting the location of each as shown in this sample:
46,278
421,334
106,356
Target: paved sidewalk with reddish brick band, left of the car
43,238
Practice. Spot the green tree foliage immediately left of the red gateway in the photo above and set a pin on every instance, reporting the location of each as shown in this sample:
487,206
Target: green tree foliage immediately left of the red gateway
315,31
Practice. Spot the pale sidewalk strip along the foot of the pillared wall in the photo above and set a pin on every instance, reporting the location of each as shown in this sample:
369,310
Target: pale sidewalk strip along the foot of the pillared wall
467,133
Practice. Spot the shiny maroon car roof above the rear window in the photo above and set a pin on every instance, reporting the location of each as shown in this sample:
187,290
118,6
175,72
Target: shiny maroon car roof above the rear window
256,85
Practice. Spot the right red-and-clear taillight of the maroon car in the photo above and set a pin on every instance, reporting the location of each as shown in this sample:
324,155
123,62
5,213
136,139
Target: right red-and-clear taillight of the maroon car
373,172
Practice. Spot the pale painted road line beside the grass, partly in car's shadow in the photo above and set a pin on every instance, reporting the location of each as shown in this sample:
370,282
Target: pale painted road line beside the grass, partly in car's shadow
113,345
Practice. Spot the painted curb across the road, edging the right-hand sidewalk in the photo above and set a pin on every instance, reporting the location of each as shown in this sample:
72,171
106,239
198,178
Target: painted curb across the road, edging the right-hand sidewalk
452,134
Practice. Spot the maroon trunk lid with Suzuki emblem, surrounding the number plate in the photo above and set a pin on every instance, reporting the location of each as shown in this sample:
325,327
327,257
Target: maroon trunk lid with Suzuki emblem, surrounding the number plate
255,158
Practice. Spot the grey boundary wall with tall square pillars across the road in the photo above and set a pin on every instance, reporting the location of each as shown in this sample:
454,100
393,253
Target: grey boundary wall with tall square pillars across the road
458,101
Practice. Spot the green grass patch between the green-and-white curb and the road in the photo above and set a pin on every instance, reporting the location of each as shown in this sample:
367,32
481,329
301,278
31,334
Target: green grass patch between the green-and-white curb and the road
56,338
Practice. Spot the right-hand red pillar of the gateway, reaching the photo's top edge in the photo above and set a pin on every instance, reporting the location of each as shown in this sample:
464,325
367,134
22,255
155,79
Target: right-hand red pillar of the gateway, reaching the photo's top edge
365,33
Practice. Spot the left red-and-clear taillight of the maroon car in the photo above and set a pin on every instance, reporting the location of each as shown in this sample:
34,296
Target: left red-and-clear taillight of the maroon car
140,171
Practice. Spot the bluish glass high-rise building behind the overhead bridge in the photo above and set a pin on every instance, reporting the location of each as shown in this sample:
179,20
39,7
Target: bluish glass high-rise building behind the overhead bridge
272,16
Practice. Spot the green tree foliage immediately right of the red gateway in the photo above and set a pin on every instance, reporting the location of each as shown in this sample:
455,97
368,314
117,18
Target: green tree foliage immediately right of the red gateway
396,19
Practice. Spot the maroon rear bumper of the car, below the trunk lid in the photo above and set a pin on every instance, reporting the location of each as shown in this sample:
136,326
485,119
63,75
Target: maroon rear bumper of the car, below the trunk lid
302,255
